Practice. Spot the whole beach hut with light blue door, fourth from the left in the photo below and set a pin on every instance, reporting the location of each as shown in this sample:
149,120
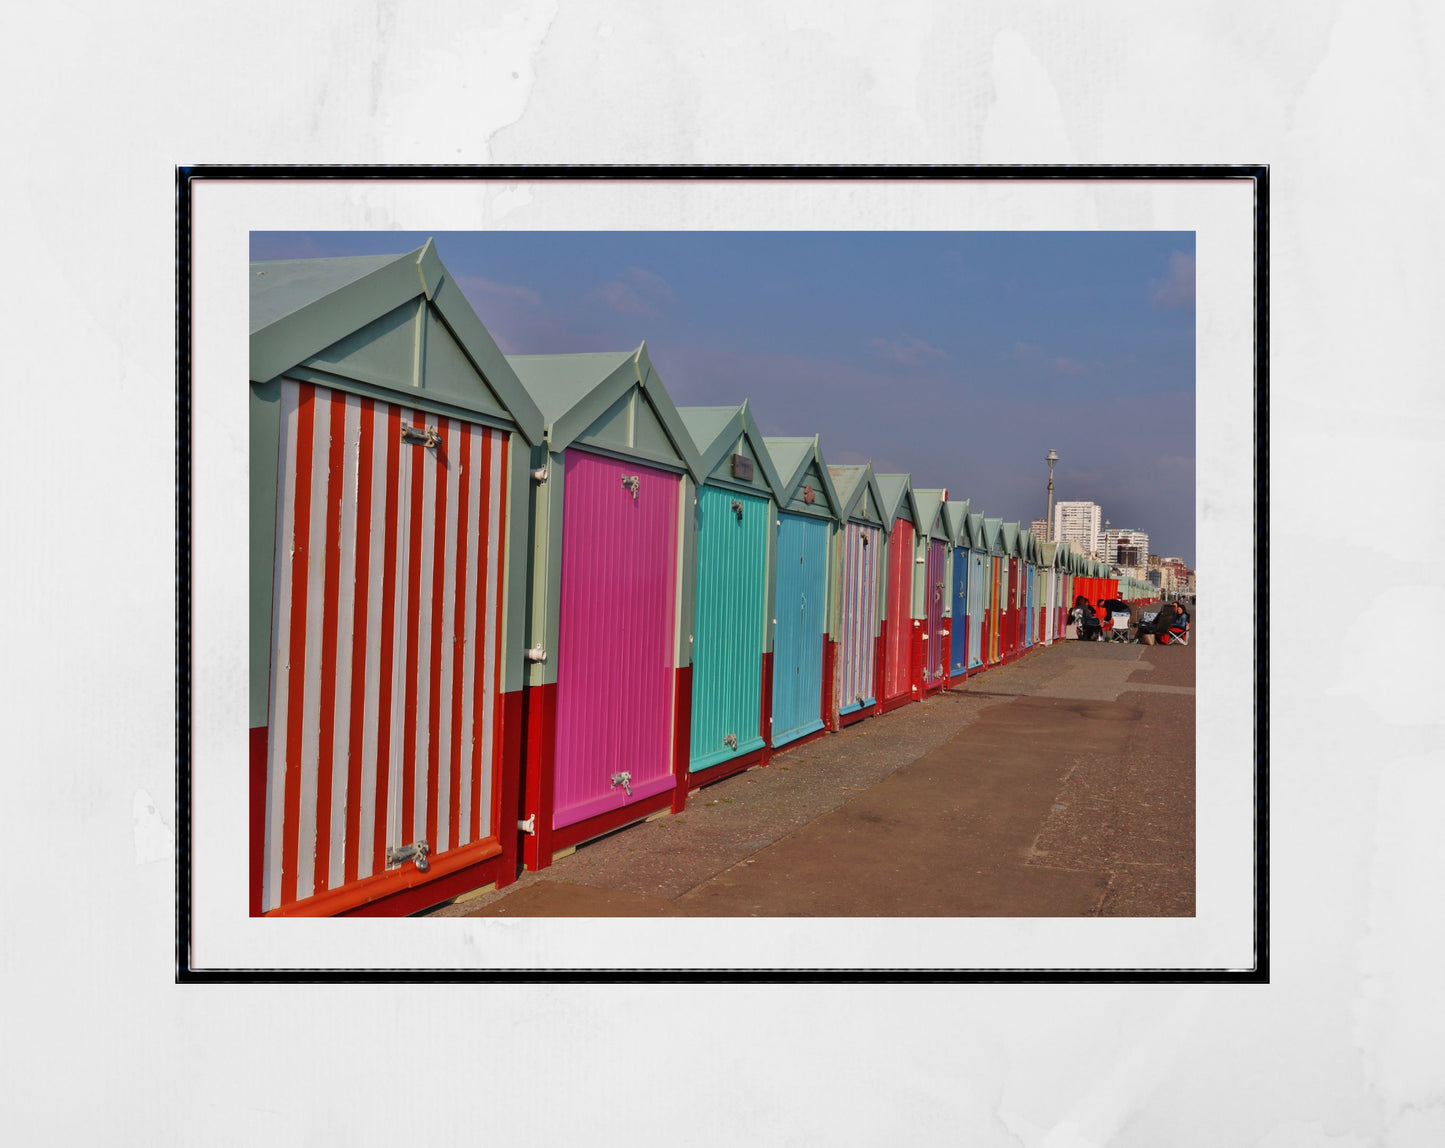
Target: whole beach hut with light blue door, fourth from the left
804,656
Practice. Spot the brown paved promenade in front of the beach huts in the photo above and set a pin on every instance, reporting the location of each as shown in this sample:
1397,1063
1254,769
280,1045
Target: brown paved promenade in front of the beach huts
1058,786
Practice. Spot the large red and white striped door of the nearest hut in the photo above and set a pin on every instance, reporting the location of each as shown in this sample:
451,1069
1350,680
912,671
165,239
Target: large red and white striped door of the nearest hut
384,721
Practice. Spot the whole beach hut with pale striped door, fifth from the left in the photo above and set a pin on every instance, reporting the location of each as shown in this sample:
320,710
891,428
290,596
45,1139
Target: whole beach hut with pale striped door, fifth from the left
860,552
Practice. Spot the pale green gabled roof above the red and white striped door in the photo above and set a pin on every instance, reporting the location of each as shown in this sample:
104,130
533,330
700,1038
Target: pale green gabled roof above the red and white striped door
340,313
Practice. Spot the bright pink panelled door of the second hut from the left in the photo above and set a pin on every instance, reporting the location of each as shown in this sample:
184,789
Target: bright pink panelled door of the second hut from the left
615,660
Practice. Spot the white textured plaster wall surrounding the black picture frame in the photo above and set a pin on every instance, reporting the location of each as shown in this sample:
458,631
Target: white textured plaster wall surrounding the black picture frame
1343,99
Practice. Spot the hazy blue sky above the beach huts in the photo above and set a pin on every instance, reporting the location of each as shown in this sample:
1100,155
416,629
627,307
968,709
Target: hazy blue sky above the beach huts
962,358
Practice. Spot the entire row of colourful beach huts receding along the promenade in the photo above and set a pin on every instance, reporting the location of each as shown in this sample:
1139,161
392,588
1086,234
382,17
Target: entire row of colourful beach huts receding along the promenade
504,605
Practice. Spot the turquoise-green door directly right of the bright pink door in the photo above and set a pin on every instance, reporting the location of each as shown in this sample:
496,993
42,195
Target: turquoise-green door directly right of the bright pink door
730,625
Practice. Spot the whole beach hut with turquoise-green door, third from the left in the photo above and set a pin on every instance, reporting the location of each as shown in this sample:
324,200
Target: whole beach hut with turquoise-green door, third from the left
730,536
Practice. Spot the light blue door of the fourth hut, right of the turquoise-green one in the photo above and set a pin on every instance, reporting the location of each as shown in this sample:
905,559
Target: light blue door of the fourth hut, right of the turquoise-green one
798,640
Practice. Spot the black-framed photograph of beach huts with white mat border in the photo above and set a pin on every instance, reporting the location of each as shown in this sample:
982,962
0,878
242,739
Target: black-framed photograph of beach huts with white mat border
462,592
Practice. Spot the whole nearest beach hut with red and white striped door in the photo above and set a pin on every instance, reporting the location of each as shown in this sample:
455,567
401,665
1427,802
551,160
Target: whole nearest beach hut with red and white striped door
389,446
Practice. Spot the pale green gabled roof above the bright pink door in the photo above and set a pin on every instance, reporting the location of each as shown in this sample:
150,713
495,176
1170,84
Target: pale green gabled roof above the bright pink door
590,397
